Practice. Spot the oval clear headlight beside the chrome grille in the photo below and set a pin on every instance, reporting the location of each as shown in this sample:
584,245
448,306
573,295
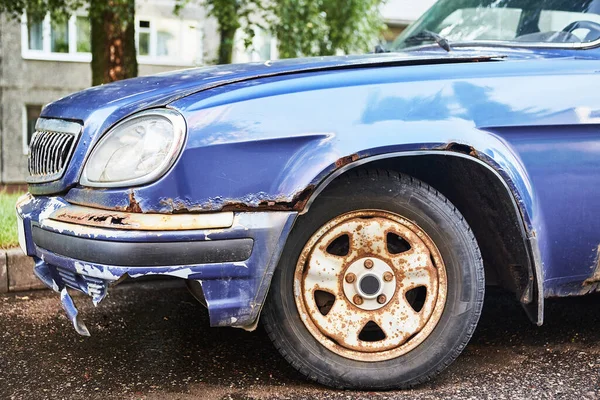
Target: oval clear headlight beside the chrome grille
137,150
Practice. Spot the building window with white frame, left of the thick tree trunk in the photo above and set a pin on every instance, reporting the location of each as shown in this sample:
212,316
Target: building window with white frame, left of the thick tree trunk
61,40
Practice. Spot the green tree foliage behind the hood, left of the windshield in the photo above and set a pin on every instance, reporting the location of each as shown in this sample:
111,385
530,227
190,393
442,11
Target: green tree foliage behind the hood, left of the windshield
302,27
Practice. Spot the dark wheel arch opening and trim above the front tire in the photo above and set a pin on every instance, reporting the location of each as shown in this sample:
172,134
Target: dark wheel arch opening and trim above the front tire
485,199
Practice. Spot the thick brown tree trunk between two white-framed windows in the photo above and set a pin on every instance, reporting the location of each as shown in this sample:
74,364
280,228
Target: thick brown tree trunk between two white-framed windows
113,40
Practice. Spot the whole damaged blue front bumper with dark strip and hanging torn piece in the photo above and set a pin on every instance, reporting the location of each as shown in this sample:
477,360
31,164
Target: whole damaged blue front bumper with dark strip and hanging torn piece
232,255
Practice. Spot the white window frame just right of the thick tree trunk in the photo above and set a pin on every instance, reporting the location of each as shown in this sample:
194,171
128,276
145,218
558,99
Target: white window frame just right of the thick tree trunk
152,58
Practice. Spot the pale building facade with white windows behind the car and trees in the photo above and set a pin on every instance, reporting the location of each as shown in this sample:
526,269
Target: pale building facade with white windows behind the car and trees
41,61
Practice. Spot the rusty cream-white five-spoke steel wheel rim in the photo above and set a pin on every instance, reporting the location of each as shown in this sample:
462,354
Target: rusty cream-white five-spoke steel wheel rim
370,285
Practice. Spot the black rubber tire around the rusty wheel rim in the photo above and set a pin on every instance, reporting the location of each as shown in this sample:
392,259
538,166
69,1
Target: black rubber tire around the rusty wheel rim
422,204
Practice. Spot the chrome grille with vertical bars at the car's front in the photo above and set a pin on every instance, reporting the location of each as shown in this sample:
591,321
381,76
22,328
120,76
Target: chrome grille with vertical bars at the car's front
51,147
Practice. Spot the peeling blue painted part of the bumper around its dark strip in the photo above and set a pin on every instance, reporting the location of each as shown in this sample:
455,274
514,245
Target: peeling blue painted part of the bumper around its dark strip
233,290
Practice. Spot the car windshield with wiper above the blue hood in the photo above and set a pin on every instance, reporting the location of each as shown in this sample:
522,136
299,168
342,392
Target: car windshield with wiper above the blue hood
520,22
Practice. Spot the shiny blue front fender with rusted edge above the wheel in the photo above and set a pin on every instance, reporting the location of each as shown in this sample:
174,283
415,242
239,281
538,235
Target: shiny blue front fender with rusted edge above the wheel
325,123
